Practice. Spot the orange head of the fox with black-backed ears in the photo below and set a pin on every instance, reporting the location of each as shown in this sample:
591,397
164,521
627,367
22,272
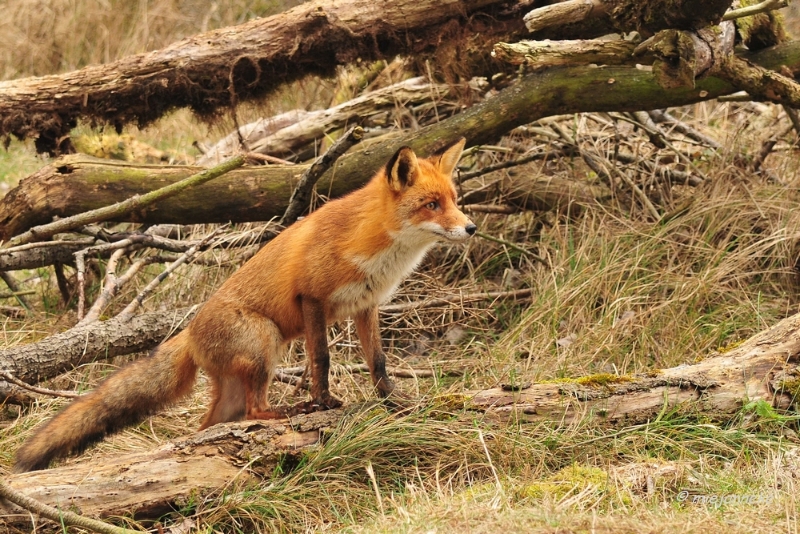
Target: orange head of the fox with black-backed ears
424,194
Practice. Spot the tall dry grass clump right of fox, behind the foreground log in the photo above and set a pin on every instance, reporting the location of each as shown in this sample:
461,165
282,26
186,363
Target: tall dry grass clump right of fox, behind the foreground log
627,295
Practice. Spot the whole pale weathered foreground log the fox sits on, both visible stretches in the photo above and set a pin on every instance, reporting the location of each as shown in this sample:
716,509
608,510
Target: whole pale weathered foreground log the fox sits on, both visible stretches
762,369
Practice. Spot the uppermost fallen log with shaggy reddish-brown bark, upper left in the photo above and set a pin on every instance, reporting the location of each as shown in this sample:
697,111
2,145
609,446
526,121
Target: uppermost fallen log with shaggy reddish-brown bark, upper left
218,69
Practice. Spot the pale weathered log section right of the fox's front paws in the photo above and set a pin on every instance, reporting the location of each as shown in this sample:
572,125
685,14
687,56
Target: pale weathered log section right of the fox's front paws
763,368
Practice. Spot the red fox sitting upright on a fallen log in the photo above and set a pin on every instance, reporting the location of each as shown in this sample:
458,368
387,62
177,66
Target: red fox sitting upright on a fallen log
343,260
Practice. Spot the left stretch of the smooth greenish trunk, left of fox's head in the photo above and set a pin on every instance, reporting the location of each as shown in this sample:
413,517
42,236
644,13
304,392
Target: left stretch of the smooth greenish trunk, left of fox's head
75,184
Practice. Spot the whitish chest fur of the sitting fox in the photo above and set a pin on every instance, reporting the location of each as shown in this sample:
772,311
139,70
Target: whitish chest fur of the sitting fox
383,272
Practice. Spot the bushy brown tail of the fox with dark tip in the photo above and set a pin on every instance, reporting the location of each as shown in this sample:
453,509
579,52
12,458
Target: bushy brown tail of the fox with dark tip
123,399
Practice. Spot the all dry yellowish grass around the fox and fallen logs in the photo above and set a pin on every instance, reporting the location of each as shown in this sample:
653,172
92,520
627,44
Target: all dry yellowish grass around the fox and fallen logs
618,292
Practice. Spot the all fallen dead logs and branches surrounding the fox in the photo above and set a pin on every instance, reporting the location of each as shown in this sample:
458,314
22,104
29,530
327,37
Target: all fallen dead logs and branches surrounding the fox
690,59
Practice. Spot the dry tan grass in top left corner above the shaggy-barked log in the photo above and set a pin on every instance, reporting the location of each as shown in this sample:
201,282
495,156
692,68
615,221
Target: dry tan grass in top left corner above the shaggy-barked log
43,37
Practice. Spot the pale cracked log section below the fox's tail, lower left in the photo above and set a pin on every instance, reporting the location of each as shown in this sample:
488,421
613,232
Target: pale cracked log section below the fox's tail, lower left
154,481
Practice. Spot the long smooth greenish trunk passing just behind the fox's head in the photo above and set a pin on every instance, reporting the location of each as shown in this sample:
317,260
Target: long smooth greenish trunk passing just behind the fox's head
75,184
